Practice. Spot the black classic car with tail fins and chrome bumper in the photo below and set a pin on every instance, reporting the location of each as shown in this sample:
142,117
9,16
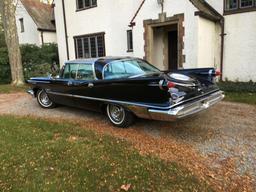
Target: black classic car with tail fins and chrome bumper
125,88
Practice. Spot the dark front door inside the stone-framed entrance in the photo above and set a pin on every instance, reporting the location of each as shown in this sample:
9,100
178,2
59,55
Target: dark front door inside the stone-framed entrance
173,50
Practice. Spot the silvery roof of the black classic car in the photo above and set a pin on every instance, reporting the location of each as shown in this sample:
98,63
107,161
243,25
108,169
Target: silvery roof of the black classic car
101,59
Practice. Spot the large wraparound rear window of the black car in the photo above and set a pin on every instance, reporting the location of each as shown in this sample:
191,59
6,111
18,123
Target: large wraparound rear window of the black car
127,68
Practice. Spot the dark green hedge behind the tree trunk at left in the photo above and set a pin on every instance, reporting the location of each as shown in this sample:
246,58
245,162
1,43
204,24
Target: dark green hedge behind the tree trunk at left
36,61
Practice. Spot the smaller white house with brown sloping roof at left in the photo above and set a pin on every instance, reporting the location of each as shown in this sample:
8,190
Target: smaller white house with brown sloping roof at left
35,23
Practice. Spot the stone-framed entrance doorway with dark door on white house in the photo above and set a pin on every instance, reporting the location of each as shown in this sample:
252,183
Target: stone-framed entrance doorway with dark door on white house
164,41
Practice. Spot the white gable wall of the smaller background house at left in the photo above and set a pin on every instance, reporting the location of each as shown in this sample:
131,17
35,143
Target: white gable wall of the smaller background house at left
30,34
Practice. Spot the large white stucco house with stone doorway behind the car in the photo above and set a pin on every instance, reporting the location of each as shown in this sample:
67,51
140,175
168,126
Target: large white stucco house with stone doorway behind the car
170,34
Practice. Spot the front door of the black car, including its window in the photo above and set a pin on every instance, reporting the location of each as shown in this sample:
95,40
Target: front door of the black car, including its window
62,88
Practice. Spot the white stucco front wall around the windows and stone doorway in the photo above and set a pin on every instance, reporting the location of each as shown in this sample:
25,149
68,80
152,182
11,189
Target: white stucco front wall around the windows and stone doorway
113,17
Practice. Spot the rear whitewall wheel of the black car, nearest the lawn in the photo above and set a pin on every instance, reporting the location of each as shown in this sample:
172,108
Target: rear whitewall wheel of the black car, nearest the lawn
119,117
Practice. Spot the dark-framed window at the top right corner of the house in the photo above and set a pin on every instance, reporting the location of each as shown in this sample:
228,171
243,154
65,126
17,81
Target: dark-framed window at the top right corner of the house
239,6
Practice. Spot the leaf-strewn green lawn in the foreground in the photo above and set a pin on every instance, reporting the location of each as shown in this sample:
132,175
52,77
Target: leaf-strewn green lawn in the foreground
36,155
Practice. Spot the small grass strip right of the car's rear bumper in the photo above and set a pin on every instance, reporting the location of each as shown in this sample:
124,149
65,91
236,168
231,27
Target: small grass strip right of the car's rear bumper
249,98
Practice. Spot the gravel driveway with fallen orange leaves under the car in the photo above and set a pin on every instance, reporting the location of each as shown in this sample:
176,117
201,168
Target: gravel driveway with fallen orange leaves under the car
218,145
